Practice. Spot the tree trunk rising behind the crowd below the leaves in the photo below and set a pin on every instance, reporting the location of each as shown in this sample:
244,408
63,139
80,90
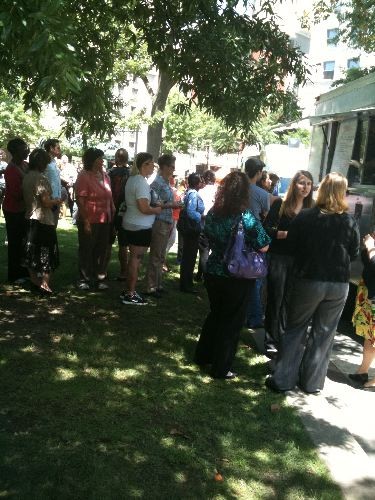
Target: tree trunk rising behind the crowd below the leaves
154,132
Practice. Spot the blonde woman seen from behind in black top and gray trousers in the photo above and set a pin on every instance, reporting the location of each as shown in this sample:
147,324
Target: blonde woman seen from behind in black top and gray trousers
324,240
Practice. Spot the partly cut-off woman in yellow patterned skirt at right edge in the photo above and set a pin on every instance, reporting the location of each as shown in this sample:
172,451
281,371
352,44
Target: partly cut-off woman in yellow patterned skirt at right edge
364,313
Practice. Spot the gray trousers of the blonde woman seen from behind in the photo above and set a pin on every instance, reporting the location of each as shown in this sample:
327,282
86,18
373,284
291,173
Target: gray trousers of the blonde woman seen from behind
304,356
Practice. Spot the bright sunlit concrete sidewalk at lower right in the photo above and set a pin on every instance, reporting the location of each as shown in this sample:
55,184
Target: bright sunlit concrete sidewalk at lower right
341,421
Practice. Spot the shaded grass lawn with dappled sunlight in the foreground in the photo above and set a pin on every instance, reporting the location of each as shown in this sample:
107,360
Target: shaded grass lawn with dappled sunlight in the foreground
101,400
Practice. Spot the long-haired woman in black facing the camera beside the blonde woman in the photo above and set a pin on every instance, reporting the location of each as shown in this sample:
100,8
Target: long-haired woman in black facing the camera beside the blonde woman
279,277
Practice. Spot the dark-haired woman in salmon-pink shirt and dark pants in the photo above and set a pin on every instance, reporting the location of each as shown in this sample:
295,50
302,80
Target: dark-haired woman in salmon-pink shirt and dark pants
95,214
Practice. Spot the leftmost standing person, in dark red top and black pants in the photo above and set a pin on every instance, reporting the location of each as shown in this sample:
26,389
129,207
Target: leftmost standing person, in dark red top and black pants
14,209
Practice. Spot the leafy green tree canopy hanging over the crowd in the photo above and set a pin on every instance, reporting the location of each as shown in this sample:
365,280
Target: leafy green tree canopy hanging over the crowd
65,53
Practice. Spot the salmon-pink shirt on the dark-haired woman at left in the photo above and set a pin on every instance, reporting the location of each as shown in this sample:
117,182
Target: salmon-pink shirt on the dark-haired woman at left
97,196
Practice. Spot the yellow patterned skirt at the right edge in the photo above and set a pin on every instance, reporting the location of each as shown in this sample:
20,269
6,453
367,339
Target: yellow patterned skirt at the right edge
364,314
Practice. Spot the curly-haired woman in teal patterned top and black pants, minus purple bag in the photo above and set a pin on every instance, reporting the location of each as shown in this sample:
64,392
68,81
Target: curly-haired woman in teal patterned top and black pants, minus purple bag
228,296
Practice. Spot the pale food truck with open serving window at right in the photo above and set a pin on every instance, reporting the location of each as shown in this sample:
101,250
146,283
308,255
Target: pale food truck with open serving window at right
343,140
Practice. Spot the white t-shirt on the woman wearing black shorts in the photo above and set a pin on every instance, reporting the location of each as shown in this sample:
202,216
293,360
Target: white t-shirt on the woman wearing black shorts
135,189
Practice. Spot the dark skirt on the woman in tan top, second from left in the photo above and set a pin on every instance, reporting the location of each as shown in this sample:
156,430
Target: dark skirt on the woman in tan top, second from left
41,249
